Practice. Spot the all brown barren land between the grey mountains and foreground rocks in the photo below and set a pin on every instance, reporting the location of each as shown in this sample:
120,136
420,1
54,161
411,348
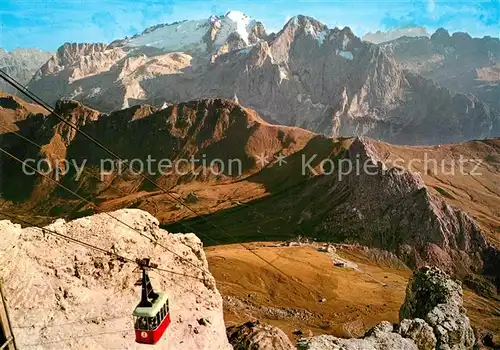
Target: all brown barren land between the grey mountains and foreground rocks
443,217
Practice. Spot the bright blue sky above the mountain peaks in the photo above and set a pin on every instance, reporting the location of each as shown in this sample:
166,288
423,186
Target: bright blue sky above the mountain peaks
47,24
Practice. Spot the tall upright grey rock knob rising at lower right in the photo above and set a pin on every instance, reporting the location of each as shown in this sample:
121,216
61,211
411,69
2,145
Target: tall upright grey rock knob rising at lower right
432,296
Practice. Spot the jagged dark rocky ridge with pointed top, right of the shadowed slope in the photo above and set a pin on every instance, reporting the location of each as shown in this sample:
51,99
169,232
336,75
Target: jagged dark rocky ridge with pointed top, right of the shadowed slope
397,208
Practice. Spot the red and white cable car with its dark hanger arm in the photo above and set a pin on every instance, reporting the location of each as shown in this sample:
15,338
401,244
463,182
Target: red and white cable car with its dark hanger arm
152,314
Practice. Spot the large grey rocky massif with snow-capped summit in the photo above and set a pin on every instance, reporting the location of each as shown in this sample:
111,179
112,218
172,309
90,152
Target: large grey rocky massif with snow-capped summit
307,75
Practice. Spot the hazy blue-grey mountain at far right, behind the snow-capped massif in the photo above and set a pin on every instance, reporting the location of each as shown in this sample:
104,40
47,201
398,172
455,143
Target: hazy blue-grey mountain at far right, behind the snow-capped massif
457,62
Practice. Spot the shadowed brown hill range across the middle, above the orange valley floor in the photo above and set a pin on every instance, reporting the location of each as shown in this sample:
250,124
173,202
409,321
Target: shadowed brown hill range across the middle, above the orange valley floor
418,217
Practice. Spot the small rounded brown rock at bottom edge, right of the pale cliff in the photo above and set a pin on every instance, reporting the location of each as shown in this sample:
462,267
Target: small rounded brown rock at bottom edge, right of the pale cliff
257,336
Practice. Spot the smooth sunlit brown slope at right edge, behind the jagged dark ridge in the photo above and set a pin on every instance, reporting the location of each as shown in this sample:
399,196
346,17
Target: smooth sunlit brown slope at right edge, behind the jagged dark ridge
479,195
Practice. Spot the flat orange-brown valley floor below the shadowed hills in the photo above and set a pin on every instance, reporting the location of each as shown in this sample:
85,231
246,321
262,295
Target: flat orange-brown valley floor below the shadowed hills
355,299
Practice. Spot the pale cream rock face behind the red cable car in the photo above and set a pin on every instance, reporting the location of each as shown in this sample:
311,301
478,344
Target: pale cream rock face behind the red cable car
62,295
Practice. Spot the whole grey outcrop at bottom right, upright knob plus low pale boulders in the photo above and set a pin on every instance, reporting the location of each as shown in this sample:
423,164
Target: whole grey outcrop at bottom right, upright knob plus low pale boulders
444,325
